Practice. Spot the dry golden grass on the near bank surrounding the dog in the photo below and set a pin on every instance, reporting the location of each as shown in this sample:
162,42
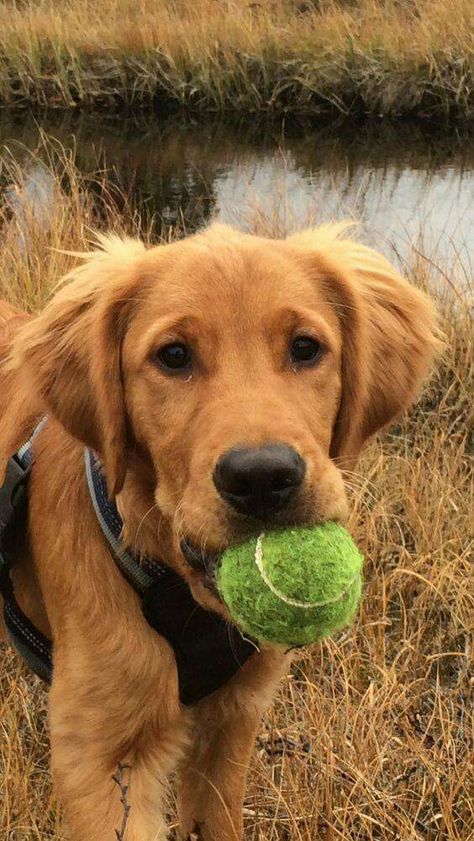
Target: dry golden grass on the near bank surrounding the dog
370,738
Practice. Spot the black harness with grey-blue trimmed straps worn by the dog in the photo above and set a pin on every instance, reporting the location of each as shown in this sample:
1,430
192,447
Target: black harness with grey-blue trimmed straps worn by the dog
208,650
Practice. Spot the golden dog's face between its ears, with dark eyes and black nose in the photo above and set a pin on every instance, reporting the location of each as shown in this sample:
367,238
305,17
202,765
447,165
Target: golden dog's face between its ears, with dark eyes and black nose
232,370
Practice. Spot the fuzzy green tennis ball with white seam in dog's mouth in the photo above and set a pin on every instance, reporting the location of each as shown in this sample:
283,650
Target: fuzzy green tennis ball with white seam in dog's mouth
292,587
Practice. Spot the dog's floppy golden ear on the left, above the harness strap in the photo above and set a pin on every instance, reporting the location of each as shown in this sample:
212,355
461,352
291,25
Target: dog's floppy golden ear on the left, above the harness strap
69,356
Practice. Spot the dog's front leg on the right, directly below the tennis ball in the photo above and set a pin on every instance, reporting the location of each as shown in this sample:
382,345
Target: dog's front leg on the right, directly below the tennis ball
213,774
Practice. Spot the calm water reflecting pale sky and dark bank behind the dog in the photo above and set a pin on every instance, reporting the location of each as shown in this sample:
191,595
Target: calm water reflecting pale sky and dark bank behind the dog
407,185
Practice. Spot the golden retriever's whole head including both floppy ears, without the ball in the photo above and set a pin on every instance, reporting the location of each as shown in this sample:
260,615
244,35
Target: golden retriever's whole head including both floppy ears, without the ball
242,374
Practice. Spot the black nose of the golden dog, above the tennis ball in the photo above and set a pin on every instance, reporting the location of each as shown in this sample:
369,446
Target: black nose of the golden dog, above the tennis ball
259,481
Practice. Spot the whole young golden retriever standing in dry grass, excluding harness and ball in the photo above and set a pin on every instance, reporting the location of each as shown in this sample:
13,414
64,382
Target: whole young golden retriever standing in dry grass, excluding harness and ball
225,381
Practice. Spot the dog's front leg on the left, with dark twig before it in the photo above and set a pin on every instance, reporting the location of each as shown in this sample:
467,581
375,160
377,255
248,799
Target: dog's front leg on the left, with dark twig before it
112,749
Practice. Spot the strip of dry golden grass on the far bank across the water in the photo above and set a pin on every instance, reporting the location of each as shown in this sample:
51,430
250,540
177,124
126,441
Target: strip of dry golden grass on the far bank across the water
383,57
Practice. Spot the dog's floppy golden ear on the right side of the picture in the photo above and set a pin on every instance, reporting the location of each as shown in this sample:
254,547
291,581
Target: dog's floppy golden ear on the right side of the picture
389,333
